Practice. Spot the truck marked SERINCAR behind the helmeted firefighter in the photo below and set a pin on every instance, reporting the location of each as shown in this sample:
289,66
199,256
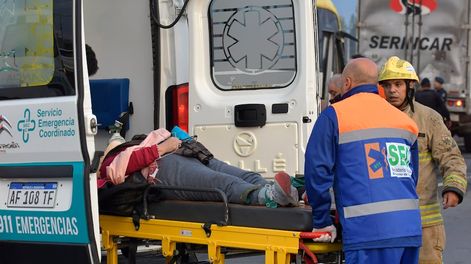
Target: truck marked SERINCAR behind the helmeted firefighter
434,35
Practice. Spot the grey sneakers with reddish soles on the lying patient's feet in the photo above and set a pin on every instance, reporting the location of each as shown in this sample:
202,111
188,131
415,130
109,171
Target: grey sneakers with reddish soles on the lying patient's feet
280,192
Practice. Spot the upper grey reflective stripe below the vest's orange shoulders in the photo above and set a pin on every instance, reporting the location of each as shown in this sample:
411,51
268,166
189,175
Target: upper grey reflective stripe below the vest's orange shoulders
372,133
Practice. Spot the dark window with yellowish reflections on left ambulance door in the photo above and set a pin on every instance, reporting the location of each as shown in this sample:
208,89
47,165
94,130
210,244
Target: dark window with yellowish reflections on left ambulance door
36,49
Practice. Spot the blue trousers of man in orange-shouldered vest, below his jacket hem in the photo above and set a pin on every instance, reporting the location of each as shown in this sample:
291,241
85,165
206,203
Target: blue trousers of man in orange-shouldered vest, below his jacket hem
407,255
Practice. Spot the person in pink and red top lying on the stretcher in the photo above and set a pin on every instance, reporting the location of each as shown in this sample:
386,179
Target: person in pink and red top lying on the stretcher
169,161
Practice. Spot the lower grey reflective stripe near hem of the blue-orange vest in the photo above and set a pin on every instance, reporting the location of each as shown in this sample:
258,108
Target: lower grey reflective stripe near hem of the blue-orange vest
380,207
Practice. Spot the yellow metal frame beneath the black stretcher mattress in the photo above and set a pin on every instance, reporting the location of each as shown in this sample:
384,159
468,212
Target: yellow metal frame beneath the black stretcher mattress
278,245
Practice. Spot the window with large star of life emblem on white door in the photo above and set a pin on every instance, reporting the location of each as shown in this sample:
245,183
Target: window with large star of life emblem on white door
253,44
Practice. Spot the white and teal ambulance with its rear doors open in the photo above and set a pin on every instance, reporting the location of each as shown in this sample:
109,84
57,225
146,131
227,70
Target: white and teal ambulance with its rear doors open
241,75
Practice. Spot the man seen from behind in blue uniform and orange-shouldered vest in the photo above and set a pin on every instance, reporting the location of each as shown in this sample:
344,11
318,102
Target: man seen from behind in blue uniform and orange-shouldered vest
366,149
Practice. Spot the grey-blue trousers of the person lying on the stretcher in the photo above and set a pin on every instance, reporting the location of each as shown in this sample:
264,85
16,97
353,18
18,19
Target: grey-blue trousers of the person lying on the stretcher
237,184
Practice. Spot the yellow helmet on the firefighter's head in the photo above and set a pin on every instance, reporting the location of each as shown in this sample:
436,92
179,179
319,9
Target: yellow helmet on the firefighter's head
395,69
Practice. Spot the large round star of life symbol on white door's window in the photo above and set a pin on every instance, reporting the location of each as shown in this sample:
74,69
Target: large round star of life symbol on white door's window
253,40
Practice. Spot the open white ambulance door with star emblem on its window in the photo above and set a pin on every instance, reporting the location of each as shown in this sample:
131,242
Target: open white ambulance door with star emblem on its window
252,81
